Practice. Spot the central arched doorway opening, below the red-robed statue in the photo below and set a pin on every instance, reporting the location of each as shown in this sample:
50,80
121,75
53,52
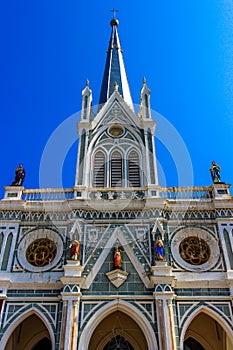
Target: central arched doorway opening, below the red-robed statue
118,331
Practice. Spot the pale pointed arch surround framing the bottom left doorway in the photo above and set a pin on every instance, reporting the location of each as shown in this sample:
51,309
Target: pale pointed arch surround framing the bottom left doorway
20,319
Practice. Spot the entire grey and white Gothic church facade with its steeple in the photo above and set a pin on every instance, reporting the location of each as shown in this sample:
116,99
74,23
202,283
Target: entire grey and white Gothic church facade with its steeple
117,261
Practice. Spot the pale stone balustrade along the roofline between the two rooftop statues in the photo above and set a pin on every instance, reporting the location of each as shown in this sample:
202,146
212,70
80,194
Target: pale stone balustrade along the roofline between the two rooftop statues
195,193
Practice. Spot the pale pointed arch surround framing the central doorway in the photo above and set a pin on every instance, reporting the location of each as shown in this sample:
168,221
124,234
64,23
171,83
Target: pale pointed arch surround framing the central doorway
125,307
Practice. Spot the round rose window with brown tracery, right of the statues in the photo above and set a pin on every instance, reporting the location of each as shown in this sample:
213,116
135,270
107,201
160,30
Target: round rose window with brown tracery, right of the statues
194,250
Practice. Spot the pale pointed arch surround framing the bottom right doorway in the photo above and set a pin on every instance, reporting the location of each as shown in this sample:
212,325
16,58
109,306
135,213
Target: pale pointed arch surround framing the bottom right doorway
203,309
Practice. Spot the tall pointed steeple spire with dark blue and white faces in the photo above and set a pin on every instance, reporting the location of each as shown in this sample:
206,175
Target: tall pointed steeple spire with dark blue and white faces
114,72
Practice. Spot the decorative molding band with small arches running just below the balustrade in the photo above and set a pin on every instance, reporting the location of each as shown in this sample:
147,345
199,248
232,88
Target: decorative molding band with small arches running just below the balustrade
47,214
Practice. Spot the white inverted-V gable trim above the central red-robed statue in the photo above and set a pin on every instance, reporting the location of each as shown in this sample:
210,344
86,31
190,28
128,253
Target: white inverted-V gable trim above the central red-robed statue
117,237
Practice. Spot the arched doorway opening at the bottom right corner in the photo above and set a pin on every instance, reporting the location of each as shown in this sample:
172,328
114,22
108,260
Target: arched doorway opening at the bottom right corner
206,333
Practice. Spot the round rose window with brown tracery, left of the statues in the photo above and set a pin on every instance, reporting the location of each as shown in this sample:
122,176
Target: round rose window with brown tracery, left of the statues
41,252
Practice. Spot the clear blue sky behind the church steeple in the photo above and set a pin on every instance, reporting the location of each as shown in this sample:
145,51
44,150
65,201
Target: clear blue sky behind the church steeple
183,47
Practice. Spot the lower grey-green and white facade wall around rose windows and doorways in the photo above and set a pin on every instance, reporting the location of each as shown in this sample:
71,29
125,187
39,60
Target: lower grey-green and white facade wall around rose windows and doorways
168,295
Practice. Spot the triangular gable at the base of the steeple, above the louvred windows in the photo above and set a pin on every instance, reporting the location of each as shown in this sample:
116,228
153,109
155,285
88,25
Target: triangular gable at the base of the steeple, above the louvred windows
115,110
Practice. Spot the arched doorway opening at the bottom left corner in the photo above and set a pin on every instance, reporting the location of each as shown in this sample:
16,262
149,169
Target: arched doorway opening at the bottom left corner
30,334
